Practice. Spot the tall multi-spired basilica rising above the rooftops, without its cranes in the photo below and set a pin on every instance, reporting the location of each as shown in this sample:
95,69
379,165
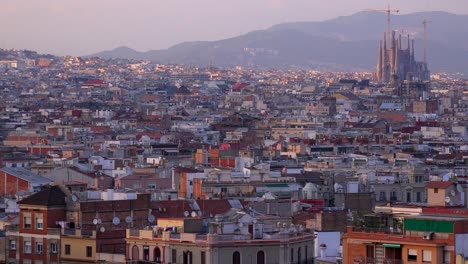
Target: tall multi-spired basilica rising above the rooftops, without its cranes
396,63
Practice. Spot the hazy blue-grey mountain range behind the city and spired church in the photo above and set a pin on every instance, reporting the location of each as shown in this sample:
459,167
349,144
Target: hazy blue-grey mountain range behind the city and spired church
343,43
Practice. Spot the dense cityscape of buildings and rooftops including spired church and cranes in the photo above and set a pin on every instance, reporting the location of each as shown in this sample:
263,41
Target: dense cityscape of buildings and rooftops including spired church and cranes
133,161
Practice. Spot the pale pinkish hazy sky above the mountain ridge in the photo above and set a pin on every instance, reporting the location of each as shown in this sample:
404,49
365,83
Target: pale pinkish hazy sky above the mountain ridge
83,27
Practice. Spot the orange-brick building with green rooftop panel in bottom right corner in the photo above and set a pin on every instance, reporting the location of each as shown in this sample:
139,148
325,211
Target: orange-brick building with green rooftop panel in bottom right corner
420,239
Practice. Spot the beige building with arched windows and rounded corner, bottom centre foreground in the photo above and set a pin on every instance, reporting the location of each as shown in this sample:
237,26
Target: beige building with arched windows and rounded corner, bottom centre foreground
233,241
